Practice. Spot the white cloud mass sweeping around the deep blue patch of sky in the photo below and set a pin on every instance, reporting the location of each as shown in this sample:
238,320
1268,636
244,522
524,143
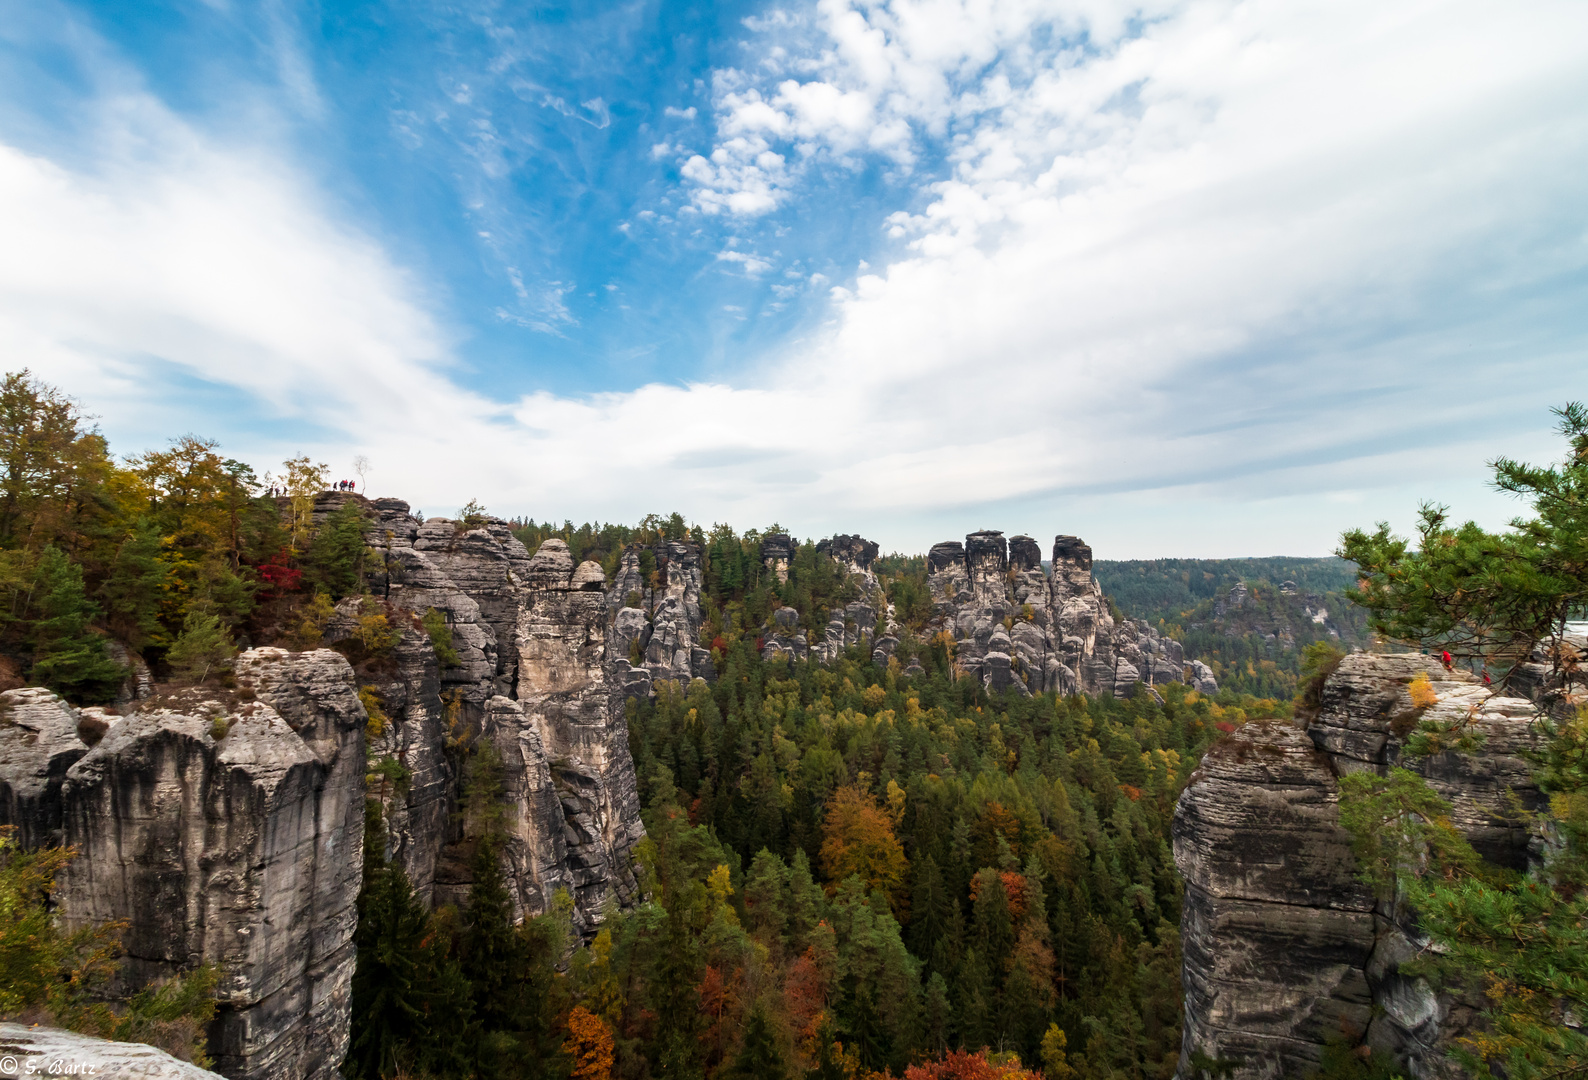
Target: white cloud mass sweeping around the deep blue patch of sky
1168,287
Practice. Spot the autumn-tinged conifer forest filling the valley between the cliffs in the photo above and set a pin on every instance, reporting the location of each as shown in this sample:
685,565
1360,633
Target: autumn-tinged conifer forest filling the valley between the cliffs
849,874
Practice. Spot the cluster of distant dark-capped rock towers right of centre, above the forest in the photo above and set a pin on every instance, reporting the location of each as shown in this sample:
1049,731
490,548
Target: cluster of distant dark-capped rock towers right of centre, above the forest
1019,627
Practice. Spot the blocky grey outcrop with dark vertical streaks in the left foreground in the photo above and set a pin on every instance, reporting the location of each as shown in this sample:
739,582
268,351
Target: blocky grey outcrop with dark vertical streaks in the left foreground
223,828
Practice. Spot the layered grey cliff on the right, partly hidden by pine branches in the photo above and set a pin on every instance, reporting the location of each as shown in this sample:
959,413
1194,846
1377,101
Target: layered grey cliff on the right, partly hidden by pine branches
1285,951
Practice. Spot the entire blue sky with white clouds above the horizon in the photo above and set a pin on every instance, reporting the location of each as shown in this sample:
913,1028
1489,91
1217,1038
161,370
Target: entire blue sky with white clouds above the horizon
1185,277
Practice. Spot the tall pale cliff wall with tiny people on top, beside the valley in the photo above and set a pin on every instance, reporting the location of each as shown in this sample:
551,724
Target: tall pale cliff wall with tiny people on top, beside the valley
544,669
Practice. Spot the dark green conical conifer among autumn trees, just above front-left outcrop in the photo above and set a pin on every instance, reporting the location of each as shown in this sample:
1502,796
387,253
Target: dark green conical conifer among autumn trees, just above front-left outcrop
69,657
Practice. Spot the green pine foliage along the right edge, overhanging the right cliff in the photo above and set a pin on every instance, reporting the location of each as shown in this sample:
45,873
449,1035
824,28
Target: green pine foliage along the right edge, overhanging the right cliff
1519,944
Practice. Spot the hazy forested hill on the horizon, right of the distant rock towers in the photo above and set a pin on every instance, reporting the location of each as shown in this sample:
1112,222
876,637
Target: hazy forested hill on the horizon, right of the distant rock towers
1247,619
